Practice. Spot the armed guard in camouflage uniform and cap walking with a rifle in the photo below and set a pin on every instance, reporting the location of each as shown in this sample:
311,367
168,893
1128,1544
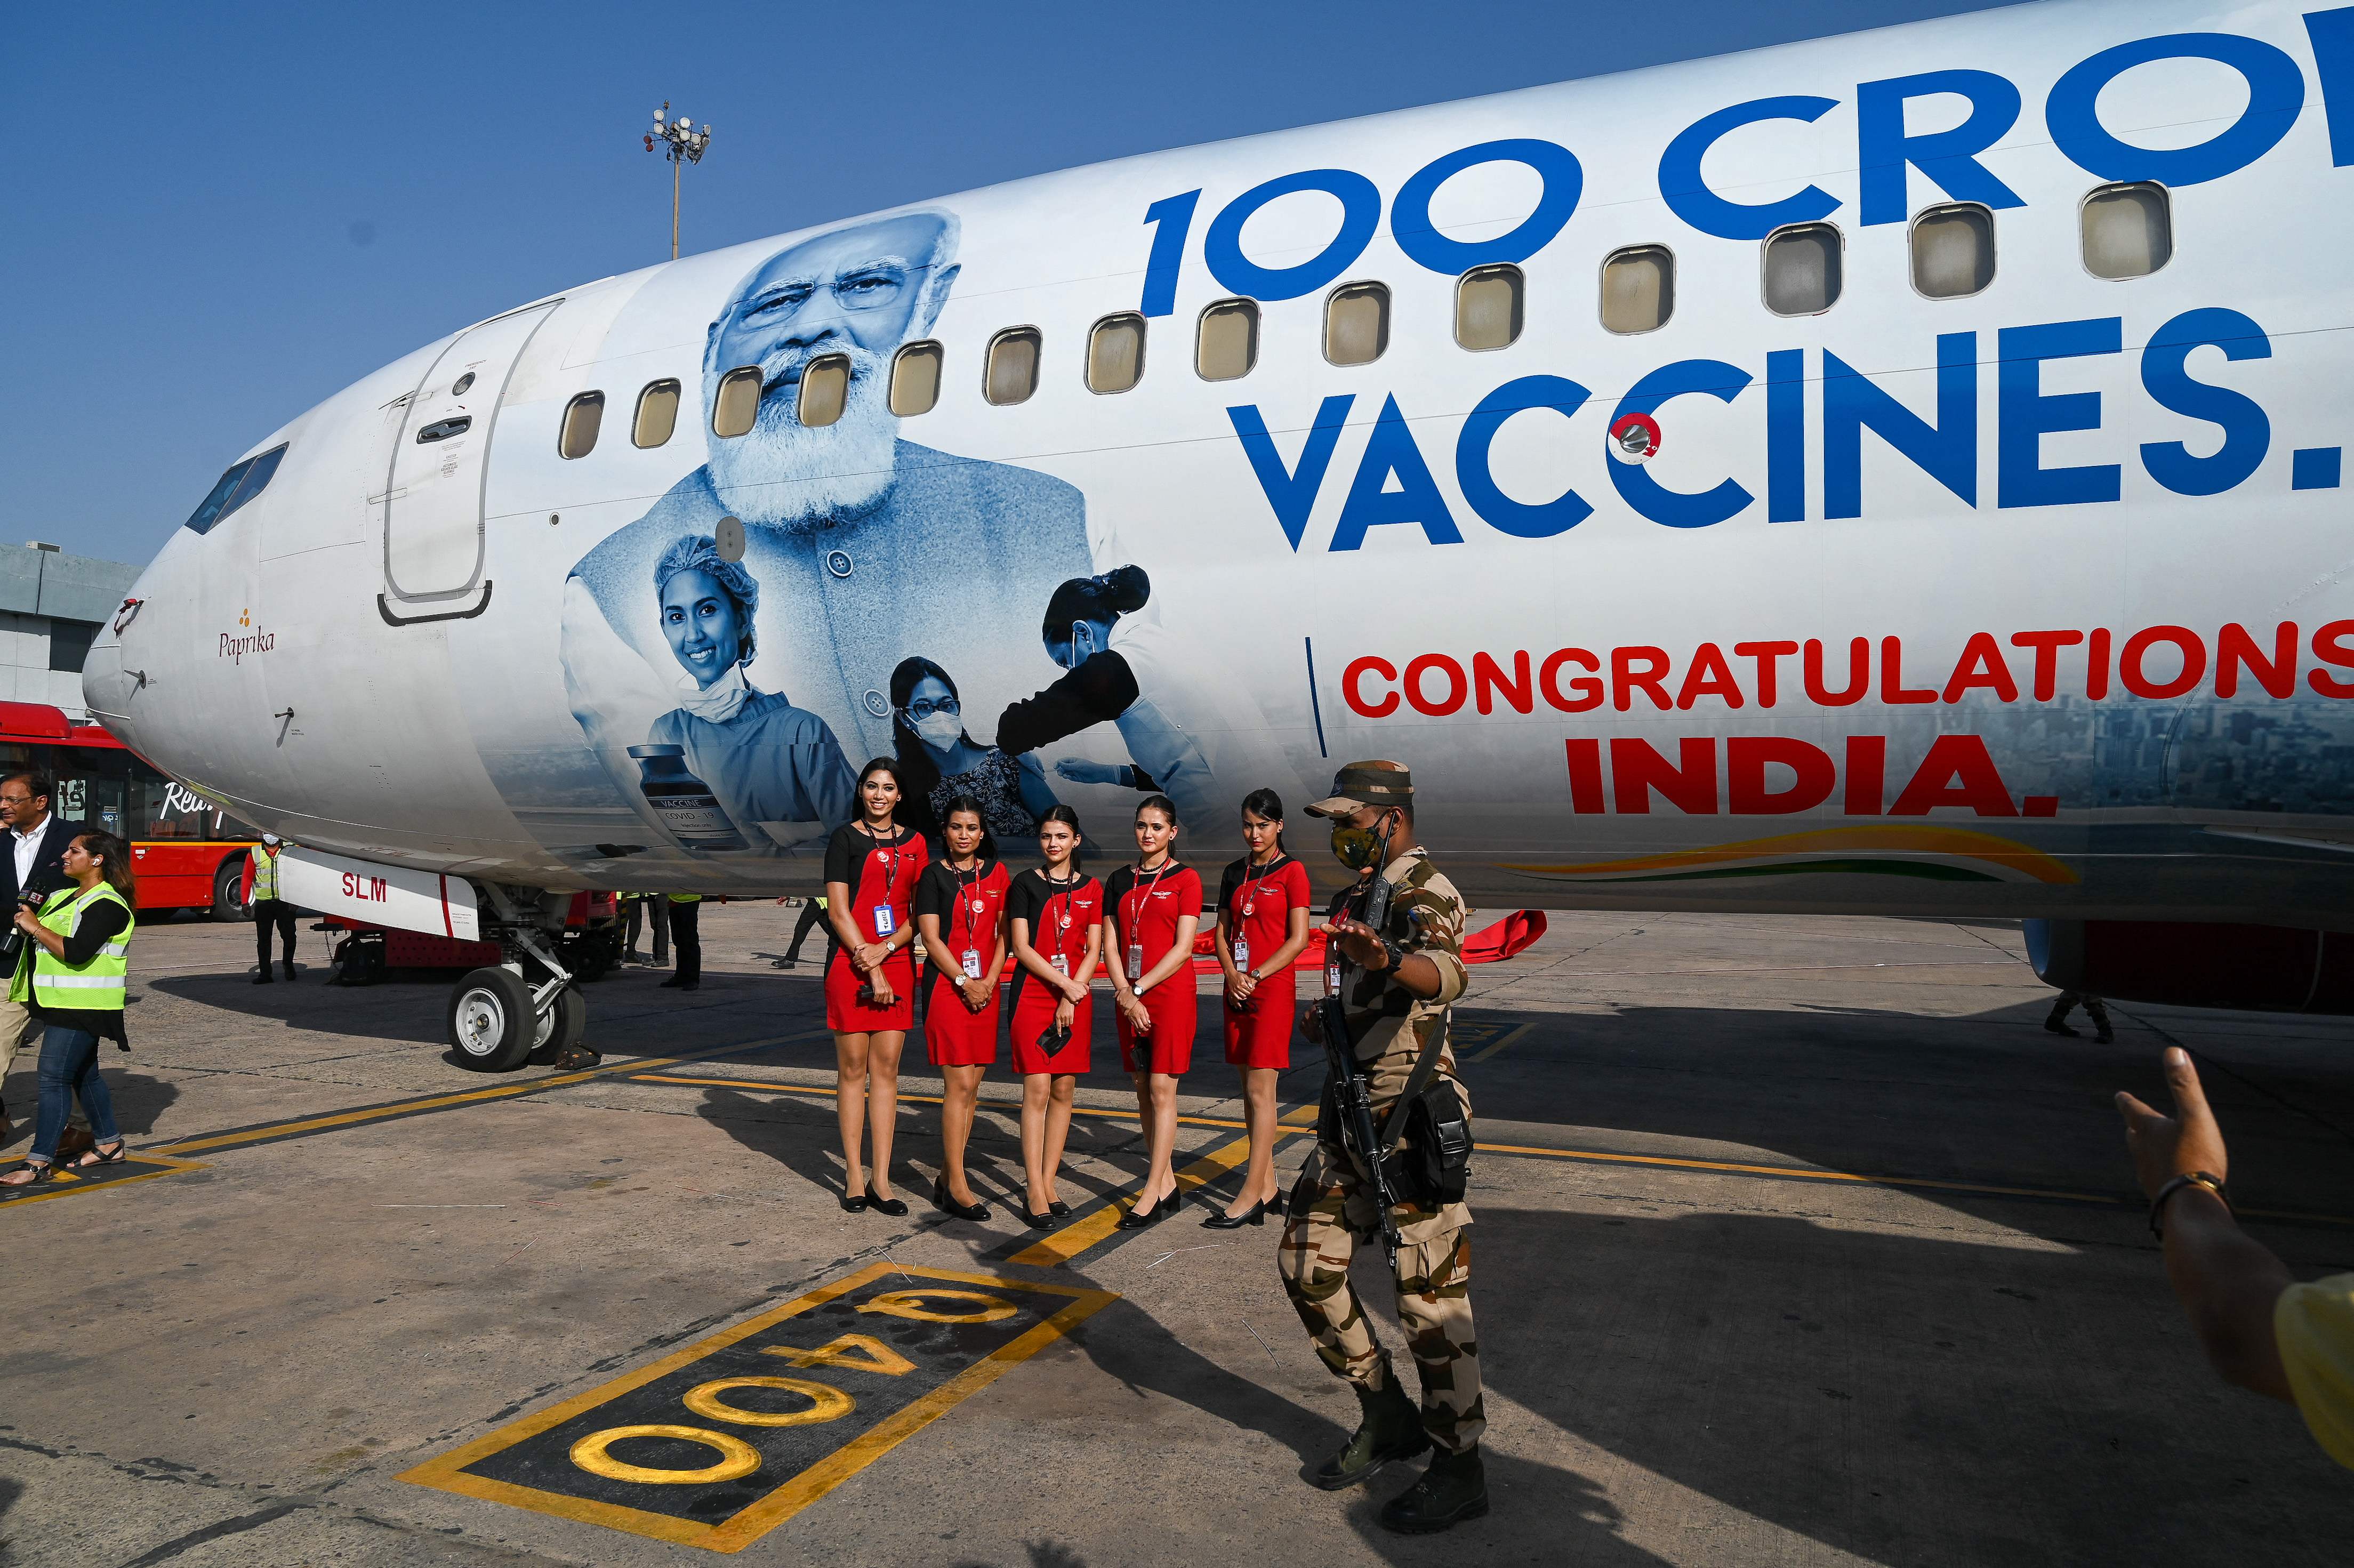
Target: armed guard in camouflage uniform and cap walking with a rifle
1395,985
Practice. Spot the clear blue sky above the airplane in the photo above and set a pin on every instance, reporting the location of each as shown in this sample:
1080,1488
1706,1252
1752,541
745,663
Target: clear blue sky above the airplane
220,215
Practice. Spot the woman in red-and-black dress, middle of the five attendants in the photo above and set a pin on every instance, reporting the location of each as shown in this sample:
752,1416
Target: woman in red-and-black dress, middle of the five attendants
1056,922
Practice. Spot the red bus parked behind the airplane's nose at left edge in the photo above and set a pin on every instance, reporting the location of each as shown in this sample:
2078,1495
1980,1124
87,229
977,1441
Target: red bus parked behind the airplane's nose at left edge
185,851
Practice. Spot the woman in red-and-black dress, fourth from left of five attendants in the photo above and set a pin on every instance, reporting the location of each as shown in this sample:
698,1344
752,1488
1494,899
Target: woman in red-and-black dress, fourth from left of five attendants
1152,910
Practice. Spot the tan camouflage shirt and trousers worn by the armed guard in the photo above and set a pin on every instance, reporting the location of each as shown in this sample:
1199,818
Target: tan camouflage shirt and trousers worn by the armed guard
1331,1211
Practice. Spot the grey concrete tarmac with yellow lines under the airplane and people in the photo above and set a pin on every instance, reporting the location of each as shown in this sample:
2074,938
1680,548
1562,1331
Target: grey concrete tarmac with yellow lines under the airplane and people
1797,1242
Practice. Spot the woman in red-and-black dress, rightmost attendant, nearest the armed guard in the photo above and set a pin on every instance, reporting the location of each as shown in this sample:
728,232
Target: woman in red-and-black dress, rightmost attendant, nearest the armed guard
1263,926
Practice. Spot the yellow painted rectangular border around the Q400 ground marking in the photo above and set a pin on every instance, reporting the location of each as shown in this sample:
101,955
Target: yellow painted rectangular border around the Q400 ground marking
446,1473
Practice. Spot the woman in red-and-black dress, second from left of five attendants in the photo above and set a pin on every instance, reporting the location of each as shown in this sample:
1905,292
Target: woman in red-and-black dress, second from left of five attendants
962,924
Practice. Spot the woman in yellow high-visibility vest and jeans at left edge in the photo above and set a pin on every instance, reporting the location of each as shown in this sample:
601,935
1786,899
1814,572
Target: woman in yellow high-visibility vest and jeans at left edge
74,976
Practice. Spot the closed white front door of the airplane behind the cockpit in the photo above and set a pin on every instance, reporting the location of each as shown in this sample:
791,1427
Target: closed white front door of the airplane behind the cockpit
441,460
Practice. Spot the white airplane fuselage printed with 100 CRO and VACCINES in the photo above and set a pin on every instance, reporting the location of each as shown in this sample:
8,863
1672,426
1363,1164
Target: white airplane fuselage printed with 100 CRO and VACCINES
2033,599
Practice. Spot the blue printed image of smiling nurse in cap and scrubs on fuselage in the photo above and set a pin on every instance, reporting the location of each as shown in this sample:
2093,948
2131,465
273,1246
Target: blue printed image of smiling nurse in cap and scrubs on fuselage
776,771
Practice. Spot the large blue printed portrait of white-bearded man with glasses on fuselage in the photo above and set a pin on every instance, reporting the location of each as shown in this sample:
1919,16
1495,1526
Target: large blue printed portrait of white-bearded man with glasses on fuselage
867,547
